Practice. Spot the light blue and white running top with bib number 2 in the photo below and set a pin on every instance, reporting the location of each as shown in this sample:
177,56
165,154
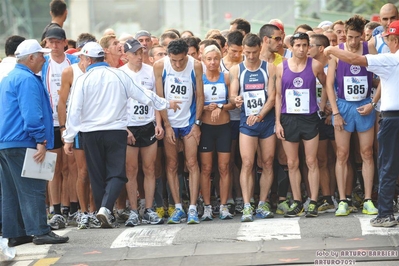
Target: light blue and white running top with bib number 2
215,91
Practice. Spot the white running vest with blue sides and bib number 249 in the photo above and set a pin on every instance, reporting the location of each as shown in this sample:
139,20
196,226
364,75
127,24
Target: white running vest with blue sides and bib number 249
180,86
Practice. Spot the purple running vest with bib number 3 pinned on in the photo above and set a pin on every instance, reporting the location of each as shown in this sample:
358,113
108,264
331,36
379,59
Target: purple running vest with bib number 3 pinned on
298,90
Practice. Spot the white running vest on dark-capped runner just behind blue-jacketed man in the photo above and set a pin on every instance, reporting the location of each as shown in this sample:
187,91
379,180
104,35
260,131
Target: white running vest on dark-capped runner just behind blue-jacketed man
53,84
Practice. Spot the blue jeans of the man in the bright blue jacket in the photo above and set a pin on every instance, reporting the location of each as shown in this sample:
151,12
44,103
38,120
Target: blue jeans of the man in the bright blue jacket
23,199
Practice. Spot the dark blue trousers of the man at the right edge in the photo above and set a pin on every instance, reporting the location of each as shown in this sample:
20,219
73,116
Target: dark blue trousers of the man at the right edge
388,164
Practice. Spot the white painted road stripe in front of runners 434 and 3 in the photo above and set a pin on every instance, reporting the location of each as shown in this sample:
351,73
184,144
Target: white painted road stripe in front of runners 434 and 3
267,229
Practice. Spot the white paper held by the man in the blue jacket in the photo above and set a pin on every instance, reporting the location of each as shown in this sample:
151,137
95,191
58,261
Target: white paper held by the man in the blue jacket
44,170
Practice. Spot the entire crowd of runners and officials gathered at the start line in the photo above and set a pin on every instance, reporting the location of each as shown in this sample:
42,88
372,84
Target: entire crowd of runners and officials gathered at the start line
184,128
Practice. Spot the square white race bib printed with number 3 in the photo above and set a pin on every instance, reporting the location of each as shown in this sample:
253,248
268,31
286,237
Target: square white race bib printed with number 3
297,101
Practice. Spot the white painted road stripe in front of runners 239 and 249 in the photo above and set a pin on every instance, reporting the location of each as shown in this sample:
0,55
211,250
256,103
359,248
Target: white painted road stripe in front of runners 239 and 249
146,236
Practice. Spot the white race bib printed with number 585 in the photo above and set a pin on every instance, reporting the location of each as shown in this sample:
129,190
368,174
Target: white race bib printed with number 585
355,88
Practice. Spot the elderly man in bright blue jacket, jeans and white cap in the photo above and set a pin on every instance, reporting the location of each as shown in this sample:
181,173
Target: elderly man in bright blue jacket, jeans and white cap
26,123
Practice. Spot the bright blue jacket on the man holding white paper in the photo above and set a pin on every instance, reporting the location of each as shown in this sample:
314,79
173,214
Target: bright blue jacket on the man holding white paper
25,111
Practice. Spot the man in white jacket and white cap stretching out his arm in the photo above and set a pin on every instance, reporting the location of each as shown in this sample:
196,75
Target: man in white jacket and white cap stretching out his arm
98,110
